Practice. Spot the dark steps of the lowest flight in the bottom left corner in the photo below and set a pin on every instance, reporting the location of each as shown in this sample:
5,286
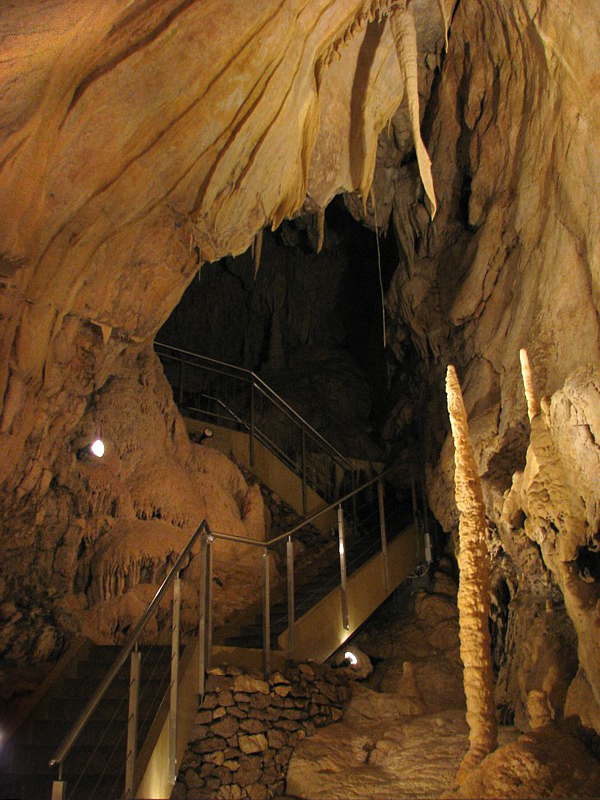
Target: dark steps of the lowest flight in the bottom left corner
95,766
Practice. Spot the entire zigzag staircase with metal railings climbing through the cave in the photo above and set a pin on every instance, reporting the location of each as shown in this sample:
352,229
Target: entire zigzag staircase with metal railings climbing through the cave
323,600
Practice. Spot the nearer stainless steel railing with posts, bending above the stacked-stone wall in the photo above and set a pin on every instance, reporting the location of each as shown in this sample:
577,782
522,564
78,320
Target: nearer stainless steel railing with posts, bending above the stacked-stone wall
131,648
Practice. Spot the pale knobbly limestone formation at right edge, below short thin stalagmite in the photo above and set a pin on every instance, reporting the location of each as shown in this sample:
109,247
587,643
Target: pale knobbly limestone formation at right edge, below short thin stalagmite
558,494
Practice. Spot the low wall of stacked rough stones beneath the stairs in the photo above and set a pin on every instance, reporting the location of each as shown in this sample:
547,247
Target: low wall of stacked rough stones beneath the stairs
246,729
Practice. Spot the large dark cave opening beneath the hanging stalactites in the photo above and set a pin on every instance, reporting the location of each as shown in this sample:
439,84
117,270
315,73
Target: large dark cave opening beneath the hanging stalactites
310,324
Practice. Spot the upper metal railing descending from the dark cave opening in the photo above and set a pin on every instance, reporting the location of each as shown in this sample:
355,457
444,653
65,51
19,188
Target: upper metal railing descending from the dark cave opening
233,396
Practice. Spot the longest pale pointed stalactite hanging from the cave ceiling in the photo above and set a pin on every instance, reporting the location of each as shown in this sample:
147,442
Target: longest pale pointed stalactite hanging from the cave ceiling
404,32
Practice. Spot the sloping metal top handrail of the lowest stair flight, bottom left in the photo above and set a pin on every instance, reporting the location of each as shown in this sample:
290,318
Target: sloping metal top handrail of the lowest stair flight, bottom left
69,740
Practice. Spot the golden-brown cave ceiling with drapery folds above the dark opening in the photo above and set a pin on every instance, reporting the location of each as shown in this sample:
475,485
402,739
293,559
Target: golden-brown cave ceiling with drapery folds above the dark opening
139,139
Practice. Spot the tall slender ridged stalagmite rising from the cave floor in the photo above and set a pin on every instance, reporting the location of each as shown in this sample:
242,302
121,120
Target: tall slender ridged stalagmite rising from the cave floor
473,590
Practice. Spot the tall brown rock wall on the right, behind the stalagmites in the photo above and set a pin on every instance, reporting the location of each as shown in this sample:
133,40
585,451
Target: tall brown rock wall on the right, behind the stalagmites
512,260
